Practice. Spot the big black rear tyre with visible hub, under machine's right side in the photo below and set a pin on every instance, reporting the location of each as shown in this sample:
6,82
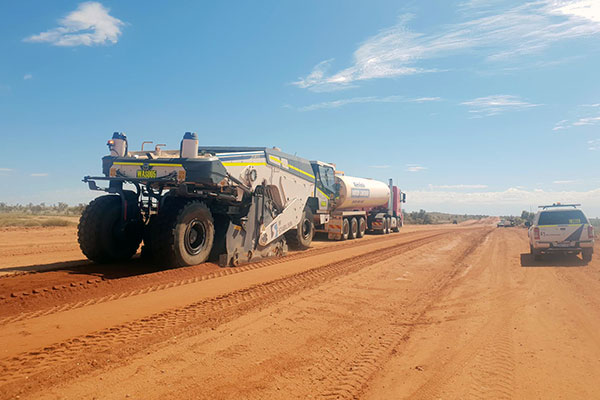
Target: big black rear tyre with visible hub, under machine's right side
183,234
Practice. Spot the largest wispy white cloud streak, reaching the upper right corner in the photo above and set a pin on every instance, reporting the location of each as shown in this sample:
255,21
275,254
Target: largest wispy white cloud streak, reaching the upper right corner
496,35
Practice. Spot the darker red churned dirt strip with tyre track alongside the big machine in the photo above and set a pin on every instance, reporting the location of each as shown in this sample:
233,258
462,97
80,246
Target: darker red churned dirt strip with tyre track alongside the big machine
33,299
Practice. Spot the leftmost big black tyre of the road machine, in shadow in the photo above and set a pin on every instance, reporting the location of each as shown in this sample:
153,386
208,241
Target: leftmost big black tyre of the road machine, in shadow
102,234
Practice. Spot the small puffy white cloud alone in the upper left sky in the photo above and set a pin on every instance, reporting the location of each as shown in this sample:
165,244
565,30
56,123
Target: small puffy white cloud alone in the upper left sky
90,24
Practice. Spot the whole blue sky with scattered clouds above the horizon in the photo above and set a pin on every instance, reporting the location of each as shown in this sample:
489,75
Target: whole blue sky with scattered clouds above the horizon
471,106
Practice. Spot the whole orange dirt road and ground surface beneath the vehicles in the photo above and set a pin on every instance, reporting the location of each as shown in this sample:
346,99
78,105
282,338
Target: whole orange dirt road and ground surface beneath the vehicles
450,312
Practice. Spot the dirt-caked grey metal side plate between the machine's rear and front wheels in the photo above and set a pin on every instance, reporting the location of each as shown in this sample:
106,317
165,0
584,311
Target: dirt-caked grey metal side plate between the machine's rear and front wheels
242,241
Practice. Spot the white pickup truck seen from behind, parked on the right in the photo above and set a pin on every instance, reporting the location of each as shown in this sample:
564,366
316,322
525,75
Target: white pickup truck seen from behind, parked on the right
561,228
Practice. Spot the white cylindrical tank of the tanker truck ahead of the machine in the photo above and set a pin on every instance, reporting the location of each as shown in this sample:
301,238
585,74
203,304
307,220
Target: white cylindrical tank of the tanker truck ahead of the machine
357,193
